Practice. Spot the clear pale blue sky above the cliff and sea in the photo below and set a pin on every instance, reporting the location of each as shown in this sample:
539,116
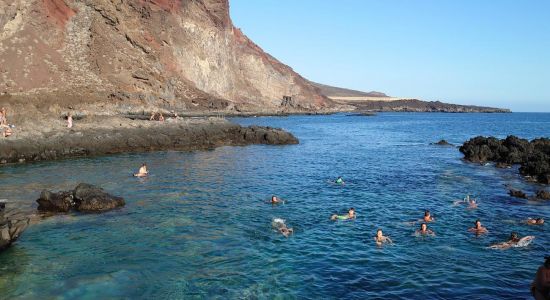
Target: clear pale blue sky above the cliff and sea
494,53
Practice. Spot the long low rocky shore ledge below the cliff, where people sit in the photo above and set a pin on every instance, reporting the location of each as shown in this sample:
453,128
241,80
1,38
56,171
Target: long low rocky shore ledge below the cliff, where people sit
120,135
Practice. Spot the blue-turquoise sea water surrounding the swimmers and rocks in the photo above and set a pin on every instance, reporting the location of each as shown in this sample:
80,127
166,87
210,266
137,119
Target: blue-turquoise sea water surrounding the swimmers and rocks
199,227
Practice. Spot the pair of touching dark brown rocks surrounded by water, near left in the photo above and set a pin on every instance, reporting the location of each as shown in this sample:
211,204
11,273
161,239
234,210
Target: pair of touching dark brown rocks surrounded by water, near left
84,198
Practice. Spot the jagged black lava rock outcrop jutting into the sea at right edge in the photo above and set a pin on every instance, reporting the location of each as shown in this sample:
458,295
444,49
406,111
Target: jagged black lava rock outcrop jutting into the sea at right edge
533,156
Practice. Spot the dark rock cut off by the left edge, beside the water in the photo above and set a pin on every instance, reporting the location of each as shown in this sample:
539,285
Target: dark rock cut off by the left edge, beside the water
12,224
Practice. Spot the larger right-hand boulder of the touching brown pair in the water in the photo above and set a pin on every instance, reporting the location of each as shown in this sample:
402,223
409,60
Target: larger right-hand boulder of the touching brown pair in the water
89,198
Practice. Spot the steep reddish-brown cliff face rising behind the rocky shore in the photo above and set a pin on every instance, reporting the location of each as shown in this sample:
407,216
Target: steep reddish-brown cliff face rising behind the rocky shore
173,54
